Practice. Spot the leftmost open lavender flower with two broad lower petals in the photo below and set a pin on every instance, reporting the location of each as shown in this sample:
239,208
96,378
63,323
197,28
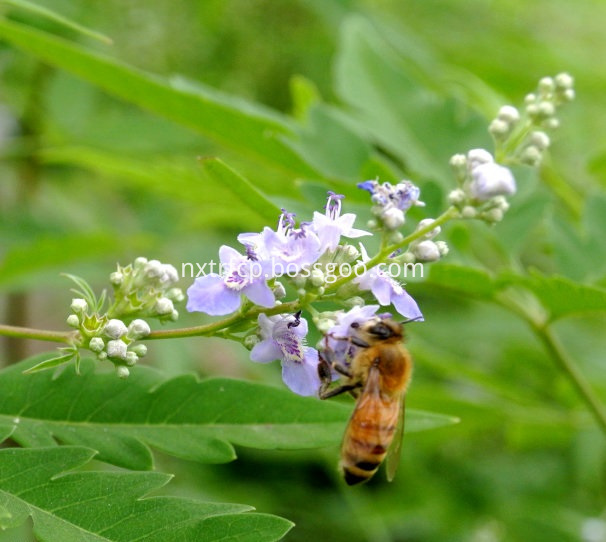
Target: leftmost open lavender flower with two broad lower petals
222,294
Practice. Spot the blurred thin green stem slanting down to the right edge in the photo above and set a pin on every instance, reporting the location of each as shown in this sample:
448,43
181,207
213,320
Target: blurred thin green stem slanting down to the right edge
570,368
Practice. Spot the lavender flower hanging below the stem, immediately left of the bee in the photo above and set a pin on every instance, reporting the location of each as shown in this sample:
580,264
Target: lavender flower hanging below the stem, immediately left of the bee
283,338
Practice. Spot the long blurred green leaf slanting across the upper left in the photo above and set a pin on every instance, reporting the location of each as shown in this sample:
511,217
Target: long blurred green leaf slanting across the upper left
251,130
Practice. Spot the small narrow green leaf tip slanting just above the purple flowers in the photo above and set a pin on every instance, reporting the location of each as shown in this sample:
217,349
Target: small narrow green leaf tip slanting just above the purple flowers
242,188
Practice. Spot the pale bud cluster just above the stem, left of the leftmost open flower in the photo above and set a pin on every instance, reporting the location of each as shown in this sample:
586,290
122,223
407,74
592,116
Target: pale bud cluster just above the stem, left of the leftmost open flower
146,288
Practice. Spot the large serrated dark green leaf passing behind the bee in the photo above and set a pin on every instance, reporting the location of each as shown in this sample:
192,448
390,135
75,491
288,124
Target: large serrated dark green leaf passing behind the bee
184,417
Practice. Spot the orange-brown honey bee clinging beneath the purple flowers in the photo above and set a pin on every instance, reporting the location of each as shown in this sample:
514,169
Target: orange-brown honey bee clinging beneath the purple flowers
379,373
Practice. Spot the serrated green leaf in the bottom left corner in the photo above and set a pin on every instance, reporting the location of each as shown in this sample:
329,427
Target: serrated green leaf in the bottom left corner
96,506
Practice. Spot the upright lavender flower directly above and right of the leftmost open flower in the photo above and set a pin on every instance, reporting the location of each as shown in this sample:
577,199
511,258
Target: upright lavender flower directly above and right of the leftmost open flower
288,249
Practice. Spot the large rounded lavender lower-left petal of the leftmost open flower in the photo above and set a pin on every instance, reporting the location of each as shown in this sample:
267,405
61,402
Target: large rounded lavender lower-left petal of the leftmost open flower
210,295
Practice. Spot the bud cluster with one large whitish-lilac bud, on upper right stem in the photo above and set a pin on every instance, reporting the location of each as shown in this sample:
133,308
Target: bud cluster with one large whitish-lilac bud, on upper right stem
483,186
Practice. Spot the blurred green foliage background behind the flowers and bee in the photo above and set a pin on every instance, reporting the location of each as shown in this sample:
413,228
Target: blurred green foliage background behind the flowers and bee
88,180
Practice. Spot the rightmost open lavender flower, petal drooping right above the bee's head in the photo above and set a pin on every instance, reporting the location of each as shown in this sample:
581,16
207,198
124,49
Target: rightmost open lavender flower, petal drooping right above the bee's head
387,290
